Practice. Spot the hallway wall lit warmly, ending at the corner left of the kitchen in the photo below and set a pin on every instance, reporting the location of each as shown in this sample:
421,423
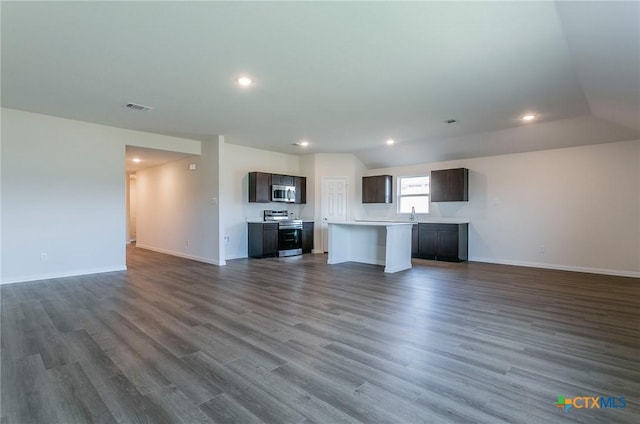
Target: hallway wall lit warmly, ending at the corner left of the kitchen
178,208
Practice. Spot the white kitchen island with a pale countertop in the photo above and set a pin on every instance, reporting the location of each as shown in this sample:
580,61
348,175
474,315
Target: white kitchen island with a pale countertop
378,243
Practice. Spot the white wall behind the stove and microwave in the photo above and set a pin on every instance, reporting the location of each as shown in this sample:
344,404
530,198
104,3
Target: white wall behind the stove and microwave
238,162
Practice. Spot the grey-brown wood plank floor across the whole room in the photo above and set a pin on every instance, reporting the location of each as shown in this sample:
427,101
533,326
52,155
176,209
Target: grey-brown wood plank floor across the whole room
294,340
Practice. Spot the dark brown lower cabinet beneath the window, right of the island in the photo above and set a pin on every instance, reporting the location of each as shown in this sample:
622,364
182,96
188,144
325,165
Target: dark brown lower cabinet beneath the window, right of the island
442,242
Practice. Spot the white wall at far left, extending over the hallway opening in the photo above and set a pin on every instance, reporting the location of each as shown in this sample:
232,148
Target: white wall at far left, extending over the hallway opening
63,194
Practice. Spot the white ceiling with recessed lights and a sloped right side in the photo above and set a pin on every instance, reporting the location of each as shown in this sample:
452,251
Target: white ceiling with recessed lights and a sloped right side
345,76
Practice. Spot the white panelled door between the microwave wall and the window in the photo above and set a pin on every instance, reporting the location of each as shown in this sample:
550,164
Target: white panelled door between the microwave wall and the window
333,205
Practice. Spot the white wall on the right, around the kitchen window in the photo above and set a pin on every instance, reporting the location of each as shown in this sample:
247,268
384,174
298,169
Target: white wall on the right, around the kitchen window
581,203
